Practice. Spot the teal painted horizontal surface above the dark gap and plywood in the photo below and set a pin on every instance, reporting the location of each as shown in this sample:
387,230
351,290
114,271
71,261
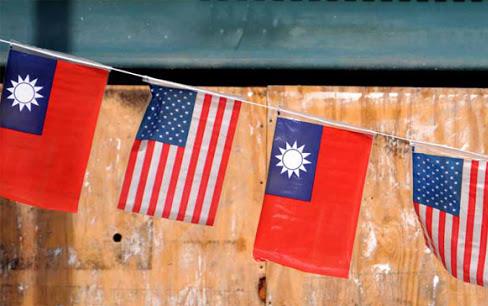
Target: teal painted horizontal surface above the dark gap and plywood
261,34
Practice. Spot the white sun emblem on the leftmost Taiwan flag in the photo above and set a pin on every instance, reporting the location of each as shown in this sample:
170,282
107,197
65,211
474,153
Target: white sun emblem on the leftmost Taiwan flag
24,92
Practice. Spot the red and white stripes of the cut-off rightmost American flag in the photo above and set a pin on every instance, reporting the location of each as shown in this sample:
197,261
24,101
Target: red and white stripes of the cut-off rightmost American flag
460,242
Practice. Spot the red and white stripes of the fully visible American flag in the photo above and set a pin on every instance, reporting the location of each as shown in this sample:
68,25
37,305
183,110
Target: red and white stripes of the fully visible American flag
183,183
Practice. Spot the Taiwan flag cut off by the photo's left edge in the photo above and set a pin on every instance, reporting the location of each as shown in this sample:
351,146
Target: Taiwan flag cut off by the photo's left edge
48,112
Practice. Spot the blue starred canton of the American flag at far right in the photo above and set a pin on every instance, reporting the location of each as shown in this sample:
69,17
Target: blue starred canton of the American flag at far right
437,182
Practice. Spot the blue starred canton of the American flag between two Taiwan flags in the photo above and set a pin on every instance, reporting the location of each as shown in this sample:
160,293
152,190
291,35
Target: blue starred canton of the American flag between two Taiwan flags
168,116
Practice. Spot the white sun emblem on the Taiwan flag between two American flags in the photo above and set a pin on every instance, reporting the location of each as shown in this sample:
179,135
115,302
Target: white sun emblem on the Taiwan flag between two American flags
292,159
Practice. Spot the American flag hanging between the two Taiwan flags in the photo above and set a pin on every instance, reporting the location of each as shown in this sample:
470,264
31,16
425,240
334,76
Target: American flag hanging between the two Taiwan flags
178,160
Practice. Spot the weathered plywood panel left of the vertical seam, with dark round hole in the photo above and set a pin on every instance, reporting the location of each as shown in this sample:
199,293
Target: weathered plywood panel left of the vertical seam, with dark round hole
51,258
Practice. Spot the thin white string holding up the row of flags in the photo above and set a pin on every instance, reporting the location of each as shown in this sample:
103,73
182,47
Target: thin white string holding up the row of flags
156,81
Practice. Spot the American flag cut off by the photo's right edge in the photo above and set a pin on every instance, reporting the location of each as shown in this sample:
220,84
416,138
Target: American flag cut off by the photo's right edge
452,205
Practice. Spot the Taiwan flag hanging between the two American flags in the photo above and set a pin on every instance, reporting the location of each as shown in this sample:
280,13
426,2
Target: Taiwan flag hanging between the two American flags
312,199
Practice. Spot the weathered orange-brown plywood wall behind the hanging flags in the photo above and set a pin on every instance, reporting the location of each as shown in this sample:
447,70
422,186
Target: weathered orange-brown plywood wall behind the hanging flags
51,258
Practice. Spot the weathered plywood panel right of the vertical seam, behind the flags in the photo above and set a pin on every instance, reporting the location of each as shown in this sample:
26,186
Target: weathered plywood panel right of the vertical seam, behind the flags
391,265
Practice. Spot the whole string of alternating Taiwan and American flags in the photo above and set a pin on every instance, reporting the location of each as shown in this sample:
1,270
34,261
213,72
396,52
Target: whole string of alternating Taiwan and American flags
48,113
